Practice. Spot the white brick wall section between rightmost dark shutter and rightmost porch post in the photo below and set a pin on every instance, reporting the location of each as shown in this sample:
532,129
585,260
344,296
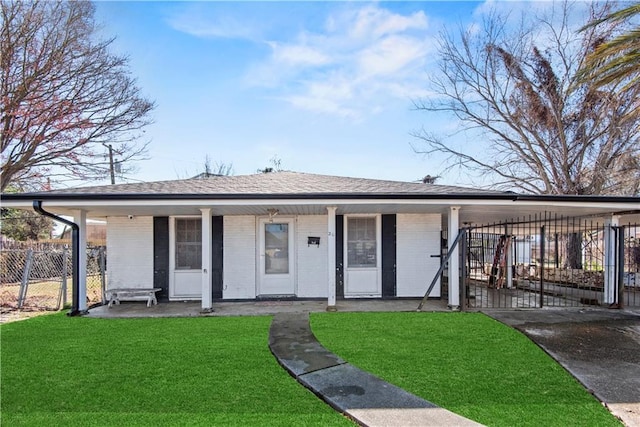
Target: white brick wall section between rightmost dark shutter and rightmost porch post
417,238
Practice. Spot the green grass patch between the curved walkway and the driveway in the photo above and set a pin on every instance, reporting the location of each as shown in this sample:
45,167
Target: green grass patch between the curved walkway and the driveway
465,362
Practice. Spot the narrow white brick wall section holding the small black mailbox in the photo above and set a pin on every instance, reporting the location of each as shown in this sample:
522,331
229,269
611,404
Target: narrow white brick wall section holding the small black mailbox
312,260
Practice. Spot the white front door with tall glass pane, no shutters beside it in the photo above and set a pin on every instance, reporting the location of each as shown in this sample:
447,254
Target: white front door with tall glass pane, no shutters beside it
276,257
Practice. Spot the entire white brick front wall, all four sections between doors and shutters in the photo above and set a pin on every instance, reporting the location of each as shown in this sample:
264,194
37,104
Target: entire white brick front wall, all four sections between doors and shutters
130,251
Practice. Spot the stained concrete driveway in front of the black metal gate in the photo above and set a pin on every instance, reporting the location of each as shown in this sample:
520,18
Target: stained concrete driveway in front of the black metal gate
600,347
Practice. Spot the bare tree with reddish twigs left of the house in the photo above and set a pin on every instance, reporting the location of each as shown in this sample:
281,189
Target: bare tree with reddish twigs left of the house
64,98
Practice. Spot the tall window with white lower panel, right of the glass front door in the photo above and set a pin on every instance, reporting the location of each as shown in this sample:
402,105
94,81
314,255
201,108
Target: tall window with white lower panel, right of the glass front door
363,256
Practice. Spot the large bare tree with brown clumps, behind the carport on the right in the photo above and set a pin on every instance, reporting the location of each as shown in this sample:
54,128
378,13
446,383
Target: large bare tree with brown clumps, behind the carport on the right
540,130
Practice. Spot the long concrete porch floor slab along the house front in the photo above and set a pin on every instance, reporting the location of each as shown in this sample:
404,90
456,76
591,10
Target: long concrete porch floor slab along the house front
259,308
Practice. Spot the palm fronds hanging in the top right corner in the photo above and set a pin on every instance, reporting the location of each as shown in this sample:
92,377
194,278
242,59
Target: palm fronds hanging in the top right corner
616,60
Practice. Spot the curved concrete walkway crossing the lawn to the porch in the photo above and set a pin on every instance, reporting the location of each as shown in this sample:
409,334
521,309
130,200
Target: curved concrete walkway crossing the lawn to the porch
363,397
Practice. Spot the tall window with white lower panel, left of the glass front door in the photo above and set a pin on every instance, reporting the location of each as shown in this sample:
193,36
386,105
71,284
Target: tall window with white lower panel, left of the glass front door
185,258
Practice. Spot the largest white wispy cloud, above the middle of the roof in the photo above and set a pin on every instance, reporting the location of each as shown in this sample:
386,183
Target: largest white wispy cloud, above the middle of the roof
363,54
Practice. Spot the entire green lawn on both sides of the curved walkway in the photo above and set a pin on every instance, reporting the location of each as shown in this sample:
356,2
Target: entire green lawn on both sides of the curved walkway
218,371
